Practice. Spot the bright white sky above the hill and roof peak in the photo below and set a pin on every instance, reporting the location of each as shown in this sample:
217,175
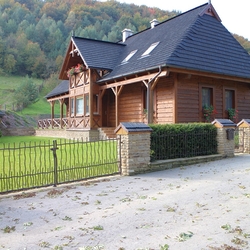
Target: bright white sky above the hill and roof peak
233,14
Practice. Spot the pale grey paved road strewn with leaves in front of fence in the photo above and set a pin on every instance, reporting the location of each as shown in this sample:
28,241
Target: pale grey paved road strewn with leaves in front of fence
205,206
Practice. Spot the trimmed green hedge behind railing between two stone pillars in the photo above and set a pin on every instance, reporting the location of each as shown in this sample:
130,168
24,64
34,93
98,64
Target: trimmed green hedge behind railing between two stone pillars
171,141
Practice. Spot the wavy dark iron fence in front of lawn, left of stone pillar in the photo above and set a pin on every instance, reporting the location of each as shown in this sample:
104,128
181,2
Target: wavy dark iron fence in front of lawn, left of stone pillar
31,165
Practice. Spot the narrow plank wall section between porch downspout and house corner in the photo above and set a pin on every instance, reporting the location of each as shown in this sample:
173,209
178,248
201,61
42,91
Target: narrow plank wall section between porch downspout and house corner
164,101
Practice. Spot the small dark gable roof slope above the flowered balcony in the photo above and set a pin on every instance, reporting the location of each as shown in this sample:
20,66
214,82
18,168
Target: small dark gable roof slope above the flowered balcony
98,54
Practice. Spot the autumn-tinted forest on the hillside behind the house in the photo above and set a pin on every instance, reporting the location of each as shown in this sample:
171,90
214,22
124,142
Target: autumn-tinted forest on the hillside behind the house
34,34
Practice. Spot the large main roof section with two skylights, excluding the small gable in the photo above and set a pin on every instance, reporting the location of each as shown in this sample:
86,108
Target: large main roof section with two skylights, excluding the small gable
190,41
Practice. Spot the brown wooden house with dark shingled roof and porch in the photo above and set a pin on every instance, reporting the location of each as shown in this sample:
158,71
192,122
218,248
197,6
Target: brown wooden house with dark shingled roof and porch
167,73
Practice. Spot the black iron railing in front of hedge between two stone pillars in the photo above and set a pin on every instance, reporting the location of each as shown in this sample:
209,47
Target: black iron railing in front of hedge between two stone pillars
182,145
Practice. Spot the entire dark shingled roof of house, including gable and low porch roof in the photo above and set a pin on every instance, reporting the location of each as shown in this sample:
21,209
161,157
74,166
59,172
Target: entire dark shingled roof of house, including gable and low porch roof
191,40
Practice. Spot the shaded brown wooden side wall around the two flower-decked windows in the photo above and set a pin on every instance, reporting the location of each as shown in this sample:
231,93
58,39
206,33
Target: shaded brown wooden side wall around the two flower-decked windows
189,99
